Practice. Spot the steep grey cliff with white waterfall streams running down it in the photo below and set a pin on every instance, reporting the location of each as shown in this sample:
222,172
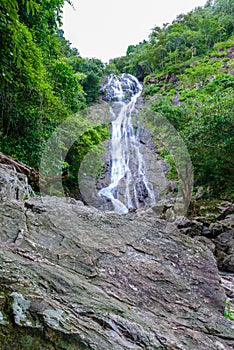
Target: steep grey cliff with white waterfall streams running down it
132,176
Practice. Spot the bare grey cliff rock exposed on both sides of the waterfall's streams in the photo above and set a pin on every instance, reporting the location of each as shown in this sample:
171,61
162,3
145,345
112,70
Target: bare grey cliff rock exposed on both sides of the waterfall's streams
156,169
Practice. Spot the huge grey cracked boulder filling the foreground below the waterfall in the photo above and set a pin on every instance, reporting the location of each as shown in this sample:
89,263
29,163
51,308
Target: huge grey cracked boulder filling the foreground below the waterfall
76,278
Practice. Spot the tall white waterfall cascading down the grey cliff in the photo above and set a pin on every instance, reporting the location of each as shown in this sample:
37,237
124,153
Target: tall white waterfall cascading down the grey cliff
129,187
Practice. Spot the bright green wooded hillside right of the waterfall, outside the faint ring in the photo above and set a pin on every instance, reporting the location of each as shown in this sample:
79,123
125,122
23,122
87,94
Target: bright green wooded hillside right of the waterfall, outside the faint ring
188,72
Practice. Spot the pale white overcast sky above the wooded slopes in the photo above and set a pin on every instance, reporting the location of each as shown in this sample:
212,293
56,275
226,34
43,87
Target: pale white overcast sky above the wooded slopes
105,28
